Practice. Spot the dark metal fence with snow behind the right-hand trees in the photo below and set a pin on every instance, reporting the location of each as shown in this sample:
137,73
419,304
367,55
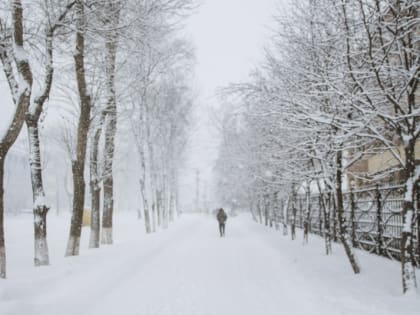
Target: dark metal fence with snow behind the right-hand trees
373,217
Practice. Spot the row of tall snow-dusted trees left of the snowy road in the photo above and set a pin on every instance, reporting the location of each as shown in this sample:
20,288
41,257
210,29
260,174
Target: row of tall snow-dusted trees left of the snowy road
129,68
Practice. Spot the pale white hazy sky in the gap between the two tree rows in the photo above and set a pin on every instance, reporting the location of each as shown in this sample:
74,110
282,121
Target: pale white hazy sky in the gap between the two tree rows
229,37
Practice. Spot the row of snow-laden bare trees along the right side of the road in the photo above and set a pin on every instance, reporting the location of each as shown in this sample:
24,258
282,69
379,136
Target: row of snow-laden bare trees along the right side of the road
339,82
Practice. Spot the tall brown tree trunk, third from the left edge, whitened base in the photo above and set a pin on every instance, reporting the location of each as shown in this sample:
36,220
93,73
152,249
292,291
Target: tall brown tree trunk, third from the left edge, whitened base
78,165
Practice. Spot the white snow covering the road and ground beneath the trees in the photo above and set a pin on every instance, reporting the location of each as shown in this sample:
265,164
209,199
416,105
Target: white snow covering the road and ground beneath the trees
189,269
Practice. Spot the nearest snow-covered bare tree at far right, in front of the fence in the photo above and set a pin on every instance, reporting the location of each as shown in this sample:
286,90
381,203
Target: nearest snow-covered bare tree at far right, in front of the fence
384,34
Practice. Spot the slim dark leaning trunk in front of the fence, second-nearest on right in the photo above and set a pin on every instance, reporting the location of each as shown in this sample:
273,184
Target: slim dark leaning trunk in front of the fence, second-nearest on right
344,237
